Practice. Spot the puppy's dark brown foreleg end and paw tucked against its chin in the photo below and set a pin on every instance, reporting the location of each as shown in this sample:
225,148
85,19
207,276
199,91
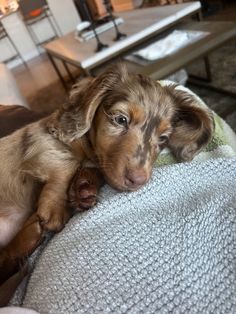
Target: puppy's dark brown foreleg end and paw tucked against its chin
84,188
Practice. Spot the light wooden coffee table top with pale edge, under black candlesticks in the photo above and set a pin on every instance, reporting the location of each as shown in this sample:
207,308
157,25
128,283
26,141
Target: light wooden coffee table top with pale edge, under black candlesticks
139,25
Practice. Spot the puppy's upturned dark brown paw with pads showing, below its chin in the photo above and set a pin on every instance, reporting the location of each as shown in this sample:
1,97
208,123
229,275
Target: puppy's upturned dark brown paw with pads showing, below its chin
83,195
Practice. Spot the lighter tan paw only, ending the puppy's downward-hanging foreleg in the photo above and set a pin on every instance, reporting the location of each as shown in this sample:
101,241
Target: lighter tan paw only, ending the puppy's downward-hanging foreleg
53,219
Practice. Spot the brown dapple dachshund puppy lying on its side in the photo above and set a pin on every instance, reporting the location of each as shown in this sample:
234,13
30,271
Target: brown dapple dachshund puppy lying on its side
112,127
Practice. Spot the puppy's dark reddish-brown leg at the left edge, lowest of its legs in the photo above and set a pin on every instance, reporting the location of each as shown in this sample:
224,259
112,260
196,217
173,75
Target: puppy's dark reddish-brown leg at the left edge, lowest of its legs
22,245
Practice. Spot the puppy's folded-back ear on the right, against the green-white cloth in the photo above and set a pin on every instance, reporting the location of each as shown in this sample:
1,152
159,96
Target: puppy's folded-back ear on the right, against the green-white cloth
193,125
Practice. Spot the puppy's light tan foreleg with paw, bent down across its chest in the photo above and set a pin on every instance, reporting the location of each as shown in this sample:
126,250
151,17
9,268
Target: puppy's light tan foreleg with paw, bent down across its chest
53,208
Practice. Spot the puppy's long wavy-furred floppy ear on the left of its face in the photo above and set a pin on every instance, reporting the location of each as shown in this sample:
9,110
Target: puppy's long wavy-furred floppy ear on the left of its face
74,119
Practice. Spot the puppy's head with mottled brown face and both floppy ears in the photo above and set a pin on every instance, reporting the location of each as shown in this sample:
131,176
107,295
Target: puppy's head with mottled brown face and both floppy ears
129,119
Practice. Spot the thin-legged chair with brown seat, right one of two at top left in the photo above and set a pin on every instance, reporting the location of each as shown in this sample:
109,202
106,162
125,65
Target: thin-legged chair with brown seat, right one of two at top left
34,12
